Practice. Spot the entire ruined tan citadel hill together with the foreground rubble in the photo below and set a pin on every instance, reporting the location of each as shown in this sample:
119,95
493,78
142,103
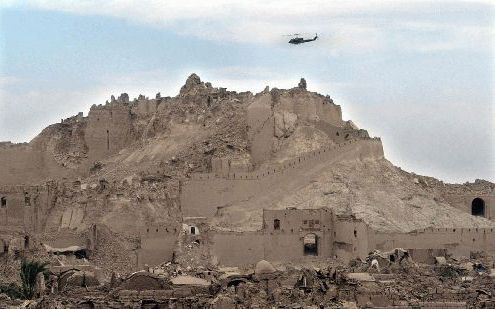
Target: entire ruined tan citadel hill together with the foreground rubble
219,199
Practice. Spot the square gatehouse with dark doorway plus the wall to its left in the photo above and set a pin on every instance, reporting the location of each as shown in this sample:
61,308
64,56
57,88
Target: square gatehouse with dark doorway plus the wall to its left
281,242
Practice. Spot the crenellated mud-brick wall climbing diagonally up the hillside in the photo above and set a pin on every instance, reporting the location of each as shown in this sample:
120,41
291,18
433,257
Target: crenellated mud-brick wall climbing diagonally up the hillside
204,194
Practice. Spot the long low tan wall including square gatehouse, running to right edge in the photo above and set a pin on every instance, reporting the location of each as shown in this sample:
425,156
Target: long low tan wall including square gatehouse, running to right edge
343,237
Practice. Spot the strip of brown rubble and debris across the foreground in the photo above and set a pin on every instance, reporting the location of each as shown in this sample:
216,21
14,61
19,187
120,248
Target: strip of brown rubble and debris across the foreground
399,282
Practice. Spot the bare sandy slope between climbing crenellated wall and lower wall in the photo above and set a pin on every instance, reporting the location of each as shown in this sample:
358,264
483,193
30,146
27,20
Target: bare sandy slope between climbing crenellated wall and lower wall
385,197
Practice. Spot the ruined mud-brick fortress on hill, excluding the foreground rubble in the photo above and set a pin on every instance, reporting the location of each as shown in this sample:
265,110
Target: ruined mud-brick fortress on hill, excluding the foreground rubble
215,176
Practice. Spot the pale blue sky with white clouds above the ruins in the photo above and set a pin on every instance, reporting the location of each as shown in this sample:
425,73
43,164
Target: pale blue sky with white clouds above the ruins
417,73
